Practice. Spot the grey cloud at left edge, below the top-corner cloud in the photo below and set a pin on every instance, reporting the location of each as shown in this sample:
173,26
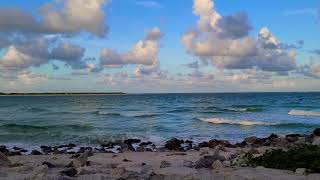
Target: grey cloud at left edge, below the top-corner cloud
34,52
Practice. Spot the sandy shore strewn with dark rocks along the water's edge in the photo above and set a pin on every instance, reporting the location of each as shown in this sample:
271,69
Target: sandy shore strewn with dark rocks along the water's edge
177,159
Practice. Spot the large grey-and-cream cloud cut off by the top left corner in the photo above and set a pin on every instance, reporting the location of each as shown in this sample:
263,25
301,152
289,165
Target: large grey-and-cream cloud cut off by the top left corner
58,17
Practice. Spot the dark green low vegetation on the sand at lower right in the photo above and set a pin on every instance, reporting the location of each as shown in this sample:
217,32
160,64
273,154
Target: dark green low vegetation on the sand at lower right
305,156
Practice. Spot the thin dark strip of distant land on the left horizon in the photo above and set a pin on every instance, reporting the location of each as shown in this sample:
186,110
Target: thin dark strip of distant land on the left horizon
62,94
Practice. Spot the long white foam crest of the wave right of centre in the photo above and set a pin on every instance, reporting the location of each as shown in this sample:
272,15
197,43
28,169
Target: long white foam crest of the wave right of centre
236,122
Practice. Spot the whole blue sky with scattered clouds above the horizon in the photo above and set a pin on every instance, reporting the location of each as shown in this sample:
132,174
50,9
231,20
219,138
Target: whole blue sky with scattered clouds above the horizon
159,46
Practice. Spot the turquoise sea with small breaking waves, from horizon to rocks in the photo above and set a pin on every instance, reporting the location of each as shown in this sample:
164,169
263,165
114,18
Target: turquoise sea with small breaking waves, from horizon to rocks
92,120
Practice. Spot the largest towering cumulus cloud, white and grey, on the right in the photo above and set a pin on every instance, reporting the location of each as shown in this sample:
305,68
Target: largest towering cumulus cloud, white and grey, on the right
224,42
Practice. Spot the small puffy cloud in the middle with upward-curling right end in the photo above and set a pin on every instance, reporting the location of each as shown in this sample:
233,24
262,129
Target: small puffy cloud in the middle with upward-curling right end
144,52
